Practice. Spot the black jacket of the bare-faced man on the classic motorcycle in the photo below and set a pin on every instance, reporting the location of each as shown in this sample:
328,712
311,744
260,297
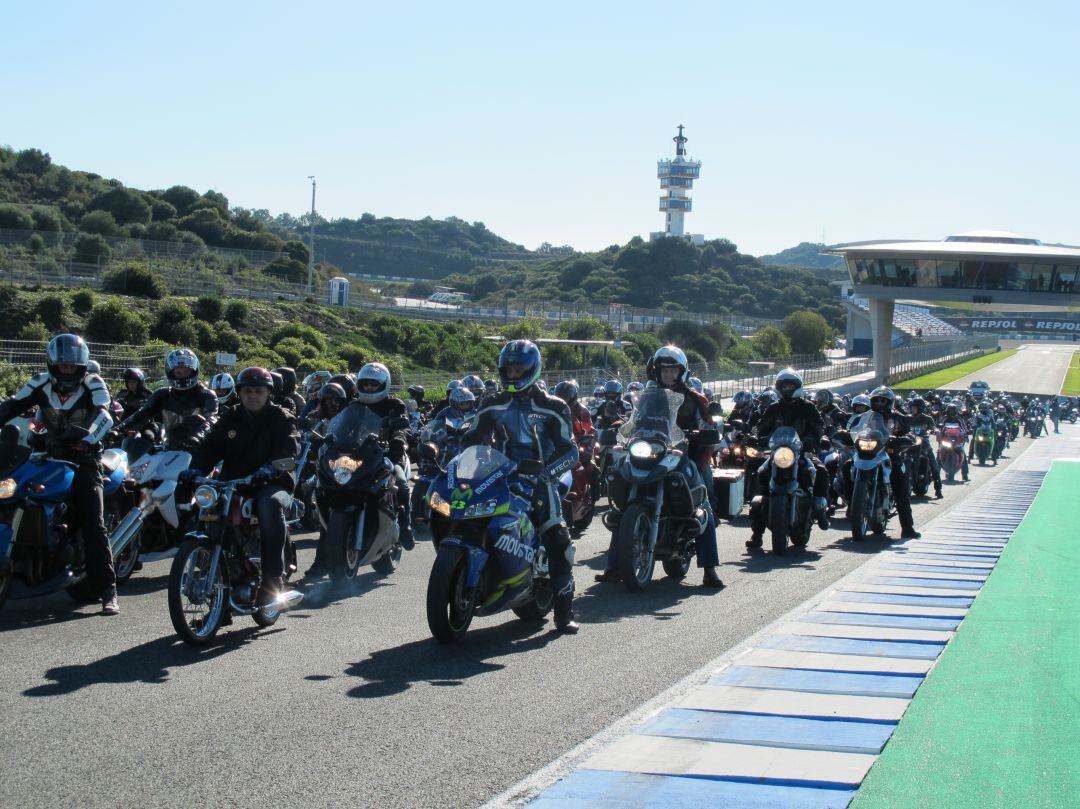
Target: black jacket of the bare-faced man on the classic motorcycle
245,443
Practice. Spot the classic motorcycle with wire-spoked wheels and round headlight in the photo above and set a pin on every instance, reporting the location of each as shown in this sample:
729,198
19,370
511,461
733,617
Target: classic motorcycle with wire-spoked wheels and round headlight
218,570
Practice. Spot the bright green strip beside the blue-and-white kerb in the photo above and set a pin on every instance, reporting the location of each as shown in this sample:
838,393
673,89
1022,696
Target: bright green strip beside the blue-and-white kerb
997,723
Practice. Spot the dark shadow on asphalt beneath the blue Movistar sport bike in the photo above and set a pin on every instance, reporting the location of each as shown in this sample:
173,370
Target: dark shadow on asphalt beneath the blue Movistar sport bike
388,672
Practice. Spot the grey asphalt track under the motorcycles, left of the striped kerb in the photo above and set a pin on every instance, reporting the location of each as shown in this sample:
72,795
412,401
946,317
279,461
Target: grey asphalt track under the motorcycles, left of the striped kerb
348,702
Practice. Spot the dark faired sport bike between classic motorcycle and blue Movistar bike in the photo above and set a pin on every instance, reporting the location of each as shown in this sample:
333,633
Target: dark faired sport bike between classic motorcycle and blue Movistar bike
358,496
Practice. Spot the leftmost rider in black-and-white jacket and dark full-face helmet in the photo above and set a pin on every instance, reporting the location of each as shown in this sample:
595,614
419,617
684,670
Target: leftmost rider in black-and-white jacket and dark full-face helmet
74,407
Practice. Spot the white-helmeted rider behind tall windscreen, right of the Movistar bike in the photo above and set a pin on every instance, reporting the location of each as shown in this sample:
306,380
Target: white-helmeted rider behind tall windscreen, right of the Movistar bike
668,370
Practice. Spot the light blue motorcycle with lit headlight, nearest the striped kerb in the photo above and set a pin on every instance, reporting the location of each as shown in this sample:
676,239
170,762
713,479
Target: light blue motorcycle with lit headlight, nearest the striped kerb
872,498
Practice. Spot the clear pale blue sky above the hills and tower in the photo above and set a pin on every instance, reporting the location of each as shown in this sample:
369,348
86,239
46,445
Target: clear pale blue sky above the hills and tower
545,120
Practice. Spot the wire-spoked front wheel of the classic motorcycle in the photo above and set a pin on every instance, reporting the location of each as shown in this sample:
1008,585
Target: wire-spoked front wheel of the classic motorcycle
196,605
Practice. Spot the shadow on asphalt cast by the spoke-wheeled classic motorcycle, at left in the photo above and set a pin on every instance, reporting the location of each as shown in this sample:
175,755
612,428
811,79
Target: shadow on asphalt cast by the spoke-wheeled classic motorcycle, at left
150,663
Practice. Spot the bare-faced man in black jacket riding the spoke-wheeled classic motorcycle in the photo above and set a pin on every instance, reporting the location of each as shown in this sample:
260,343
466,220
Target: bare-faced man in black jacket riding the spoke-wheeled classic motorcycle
248,440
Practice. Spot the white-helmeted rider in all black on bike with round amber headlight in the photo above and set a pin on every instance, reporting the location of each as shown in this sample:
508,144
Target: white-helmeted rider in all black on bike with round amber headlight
792,411
